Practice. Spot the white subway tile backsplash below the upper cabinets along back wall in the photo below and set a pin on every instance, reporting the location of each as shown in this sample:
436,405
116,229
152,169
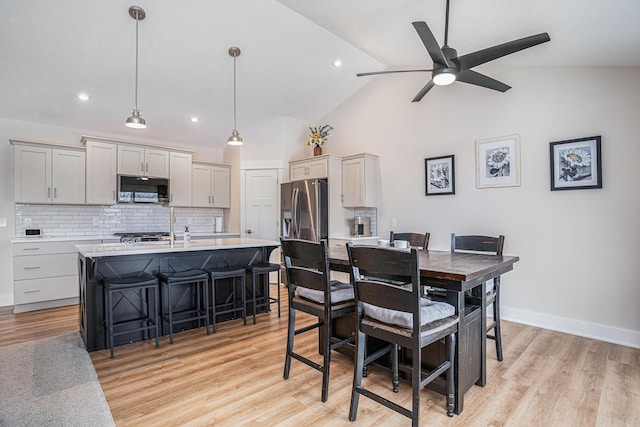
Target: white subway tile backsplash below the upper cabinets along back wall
70,221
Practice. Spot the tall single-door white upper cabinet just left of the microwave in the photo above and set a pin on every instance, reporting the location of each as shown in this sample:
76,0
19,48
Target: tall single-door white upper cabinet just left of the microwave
102,177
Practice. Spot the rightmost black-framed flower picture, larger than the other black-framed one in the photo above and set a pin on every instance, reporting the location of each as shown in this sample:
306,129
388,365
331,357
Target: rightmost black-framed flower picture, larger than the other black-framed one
576,164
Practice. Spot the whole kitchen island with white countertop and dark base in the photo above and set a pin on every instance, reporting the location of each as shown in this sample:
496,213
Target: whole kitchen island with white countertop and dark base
109,260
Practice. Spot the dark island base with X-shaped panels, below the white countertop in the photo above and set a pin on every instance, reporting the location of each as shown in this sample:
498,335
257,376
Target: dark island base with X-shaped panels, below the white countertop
133,304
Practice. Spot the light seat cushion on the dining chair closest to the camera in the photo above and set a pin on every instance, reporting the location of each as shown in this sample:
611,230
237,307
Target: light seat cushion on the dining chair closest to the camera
429,312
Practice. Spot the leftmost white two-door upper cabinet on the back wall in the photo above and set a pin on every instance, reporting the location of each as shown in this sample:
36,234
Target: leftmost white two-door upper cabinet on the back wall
48,174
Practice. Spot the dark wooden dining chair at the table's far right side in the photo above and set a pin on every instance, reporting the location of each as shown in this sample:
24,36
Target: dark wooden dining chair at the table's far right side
493,245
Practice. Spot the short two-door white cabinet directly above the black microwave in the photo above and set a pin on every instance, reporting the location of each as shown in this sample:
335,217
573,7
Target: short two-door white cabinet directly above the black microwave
138,160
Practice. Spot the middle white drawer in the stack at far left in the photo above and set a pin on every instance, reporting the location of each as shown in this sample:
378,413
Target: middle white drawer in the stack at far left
35,267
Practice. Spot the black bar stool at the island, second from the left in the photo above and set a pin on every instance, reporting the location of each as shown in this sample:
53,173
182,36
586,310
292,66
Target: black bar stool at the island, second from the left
196,279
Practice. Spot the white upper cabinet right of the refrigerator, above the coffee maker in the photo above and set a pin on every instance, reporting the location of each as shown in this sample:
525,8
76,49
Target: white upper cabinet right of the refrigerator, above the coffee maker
359,181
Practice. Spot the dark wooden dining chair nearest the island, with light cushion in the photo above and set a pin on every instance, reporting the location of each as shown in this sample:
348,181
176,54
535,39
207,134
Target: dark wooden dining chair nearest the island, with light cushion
311,291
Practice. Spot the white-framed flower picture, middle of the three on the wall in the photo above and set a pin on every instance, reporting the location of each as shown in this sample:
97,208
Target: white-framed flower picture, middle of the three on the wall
498,162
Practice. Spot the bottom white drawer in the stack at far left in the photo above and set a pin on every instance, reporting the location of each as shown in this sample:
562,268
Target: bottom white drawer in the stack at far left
36,290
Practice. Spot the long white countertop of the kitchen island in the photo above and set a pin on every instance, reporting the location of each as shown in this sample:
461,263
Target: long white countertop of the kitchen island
117,249
